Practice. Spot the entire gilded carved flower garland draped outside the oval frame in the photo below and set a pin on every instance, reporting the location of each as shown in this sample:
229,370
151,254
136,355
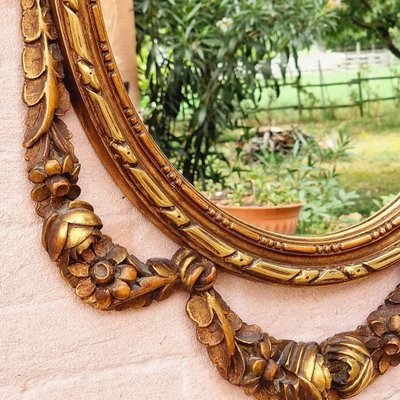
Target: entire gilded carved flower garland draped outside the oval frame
107,277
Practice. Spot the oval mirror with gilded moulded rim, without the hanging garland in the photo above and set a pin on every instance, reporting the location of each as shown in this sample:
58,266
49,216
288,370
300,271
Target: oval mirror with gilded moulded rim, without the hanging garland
217,90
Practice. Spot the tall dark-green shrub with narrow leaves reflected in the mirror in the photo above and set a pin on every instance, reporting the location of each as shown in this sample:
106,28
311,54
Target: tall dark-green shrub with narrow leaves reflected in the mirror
205,64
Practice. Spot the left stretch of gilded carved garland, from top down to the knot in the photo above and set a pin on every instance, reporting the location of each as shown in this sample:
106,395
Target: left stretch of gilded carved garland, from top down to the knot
103,274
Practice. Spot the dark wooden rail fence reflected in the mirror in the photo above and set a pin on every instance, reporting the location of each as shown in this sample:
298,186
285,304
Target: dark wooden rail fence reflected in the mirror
361,98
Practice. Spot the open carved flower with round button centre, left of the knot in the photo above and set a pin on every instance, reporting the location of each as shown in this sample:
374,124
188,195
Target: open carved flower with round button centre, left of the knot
106,276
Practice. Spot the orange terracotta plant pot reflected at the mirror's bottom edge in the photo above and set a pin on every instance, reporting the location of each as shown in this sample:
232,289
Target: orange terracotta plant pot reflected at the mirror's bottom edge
279,219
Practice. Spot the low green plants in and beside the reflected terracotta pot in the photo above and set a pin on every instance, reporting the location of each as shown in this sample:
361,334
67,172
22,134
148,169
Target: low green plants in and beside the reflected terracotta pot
306,171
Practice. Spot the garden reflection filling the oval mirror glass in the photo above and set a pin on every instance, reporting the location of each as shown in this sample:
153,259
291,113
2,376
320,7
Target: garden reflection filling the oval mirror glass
284,114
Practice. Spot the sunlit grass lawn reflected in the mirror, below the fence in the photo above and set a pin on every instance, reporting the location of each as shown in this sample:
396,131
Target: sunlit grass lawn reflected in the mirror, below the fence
374,166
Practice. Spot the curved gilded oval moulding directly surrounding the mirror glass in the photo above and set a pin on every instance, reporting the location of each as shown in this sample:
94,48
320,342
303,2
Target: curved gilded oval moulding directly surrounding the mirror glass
150,181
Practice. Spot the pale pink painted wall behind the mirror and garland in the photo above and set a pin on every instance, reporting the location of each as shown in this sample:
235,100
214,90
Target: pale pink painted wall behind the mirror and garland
52,346
